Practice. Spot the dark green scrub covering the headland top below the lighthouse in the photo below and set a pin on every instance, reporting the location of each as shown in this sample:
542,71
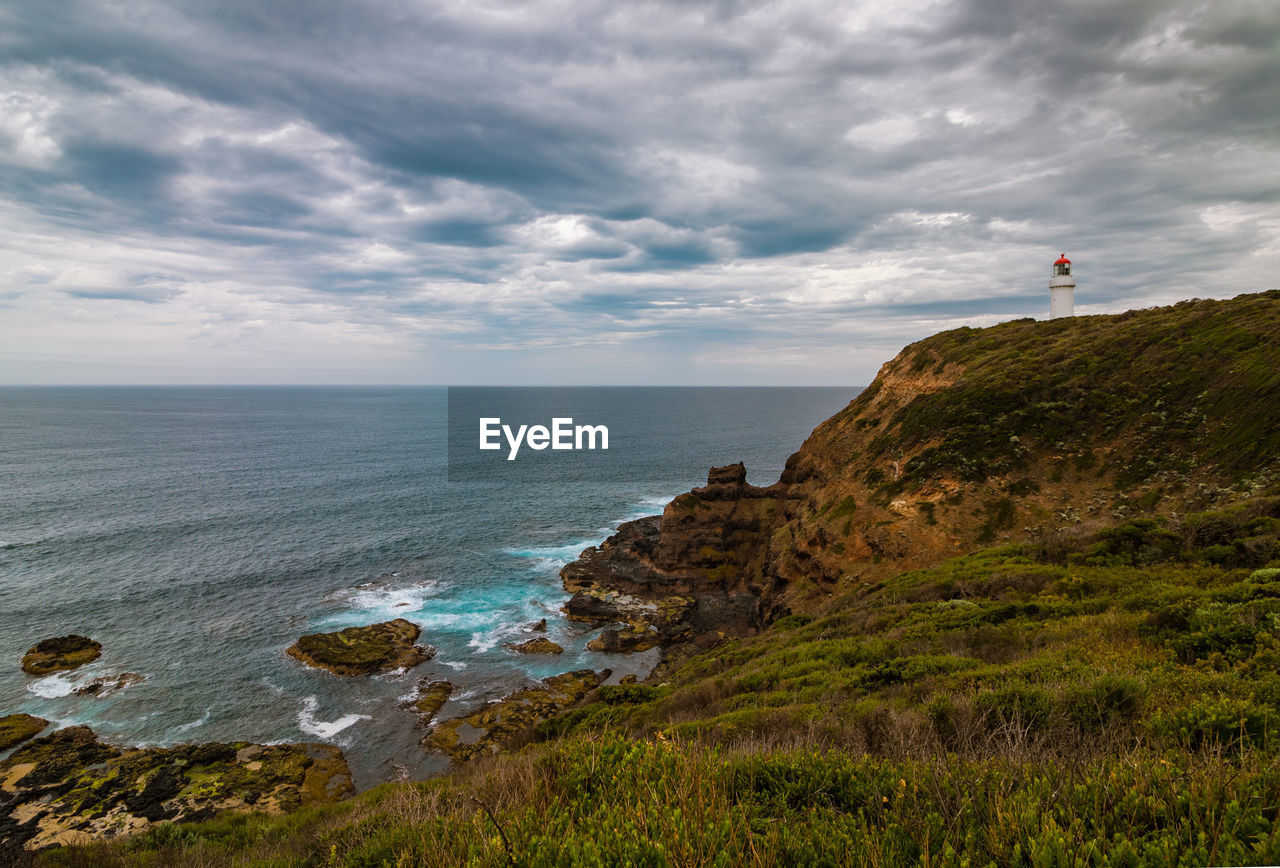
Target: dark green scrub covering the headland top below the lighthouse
1176,387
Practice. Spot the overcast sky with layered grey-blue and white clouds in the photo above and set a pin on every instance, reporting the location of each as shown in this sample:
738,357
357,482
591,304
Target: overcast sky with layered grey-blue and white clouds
602,193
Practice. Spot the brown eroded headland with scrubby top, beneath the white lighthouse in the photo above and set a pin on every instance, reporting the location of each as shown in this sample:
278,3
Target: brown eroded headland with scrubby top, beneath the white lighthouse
966,440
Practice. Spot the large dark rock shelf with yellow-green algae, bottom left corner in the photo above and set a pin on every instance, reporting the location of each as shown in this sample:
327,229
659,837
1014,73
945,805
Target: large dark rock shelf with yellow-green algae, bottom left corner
71,788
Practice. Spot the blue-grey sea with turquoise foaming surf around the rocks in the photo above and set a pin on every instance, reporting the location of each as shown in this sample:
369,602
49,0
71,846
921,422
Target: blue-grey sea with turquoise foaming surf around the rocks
199,532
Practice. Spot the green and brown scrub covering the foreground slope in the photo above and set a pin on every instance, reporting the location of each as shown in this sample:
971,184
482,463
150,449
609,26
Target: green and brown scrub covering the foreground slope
1107,698
